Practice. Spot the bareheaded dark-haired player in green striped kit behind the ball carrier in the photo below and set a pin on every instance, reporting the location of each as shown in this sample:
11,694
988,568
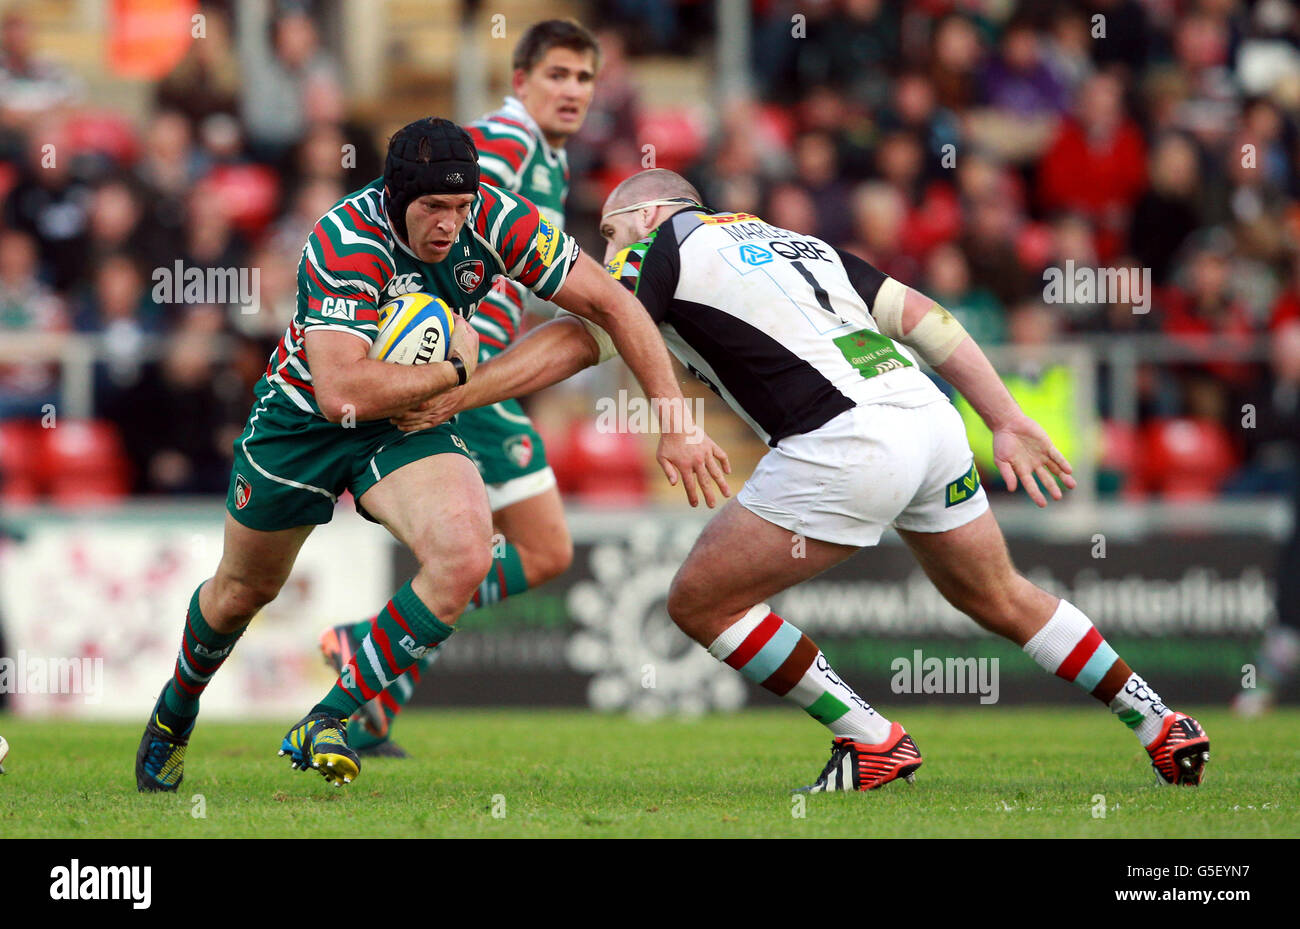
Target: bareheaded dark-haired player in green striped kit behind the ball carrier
521,150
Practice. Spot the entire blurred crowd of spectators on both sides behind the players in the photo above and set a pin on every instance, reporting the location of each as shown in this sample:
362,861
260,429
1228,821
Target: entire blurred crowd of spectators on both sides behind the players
961,146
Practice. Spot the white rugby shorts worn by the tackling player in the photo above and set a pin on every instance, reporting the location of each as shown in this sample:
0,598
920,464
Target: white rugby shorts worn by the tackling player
872,467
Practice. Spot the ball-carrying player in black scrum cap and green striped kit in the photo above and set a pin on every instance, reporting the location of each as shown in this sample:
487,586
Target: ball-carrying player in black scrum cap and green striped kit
322,427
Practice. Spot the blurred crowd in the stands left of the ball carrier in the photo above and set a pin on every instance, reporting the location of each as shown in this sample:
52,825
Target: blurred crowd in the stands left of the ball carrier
245,147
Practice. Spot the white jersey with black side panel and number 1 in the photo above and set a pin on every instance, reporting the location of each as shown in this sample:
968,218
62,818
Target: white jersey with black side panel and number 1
775,323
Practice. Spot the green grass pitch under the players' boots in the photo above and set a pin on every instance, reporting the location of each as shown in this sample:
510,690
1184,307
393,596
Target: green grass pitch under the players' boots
999,772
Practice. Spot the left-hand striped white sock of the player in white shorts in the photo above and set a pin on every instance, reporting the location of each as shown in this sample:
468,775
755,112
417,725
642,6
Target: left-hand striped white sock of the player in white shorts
777,655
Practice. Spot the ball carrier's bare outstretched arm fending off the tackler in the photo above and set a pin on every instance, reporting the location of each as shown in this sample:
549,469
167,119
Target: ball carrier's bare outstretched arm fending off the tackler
686,453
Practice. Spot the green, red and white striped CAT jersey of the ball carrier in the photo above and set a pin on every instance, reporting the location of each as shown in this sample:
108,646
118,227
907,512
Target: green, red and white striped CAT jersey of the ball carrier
353,264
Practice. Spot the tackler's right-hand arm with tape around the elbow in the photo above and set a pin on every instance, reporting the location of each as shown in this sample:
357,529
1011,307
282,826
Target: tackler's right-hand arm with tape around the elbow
1021,448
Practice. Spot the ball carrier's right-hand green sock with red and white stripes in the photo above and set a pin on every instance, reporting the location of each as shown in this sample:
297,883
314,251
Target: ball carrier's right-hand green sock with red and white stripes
402,635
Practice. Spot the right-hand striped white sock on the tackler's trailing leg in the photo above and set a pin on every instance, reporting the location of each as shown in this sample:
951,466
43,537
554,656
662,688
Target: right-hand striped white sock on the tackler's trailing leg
1071,648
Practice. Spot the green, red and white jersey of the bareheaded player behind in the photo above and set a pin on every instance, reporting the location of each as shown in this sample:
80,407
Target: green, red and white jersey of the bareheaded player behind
514,155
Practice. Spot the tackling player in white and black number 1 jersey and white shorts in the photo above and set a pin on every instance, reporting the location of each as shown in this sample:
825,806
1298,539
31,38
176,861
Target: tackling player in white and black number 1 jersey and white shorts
817,350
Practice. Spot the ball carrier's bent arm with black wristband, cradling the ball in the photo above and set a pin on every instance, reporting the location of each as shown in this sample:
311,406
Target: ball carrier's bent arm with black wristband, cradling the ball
352,387
